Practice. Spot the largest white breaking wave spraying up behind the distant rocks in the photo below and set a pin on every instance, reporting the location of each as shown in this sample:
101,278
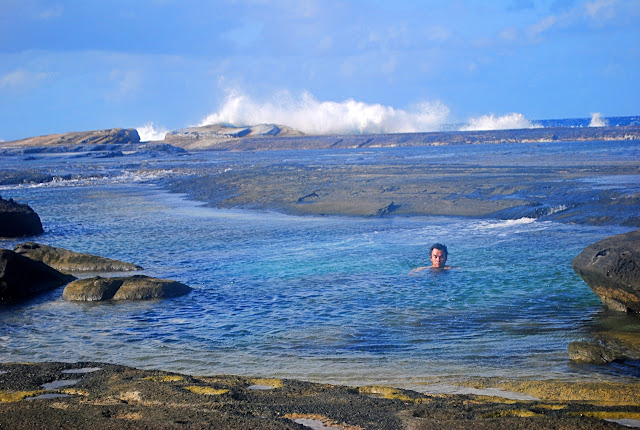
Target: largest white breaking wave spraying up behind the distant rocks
311,116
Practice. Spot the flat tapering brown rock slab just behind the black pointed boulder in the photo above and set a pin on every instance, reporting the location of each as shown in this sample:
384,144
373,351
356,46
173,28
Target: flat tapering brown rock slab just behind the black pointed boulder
70,261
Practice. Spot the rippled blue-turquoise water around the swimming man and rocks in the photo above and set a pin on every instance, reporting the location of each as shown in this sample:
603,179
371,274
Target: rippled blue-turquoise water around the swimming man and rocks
325,299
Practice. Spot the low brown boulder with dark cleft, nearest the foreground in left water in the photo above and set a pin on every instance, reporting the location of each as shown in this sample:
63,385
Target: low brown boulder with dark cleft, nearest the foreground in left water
138,287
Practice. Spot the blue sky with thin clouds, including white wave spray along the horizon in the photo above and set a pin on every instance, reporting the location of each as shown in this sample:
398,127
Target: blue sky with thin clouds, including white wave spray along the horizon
316,65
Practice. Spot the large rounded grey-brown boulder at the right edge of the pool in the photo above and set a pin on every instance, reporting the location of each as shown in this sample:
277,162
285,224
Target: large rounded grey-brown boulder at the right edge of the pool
611,267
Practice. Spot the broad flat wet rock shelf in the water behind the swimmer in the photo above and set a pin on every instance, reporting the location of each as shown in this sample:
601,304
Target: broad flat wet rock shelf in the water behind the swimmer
543,189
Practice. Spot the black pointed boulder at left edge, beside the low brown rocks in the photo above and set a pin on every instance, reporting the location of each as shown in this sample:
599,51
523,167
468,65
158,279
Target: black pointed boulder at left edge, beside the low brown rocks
21,277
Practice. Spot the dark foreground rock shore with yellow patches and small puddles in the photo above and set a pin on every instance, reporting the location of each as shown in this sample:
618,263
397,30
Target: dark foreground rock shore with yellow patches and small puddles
98,395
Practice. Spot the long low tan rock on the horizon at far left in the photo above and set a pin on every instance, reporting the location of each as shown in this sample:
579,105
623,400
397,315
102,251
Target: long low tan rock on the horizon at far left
95,137
